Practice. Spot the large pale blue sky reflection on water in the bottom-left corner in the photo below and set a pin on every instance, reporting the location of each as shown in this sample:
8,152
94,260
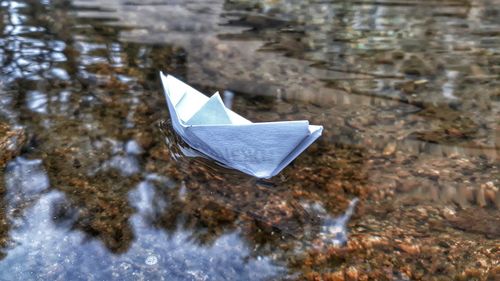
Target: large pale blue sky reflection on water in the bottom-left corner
52,251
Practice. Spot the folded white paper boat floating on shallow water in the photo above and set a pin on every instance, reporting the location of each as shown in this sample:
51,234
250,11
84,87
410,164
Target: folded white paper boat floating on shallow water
258,149
